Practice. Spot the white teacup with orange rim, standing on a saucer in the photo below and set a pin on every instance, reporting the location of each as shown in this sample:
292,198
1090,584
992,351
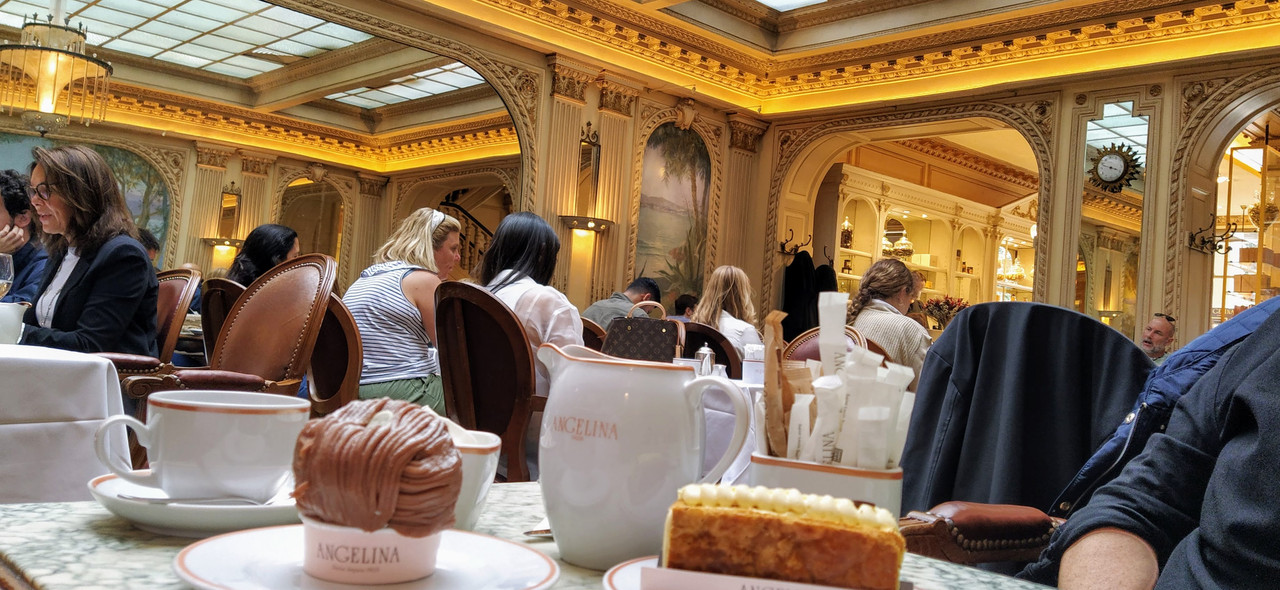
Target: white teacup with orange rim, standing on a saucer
208,445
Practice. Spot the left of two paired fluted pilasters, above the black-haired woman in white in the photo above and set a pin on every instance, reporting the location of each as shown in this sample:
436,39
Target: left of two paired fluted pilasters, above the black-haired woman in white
569,99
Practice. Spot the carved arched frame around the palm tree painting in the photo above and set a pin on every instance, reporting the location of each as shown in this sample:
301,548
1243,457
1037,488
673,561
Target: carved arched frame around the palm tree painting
653,116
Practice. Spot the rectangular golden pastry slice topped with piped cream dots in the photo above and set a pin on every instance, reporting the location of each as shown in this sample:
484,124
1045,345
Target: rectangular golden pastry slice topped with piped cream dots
783,536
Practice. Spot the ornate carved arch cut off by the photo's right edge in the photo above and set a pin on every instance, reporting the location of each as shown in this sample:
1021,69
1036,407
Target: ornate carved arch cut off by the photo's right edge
1213,111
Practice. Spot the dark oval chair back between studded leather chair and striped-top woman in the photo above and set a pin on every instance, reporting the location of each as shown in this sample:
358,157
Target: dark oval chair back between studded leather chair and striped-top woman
333,379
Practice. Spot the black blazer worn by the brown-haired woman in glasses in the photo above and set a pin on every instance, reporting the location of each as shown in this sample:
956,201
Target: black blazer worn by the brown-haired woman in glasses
108,304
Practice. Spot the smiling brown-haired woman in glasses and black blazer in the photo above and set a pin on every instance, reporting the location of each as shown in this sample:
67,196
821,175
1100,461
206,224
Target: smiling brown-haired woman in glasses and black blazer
99,294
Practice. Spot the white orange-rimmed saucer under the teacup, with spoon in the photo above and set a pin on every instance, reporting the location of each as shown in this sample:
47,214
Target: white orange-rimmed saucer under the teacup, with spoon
185,520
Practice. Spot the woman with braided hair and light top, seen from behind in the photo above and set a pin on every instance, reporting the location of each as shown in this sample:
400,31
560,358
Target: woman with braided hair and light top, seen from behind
879,313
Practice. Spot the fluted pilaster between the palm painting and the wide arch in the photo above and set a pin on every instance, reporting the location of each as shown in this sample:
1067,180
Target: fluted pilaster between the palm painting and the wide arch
744,143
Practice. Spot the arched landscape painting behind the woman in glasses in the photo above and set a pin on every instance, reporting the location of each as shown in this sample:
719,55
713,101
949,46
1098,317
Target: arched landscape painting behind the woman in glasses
145,191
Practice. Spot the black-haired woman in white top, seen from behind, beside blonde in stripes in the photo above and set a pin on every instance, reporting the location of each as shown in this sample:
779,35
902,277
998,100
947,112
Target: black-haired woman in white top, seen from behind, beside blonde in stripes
516,268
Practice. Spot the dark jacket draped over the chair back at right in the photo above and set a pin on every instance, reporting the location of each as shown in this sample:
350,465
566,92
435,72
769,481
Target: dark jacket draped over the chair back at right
1013,400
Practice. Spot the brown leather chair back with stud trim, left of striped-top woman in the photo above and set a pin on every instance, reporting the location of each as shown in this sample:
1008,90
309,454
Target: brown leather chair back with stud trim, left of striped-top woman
272,330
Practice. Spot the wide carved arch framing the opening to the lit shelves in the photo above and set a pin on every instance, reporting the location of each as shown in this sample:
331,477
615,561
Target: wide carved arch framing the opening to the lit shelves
806,149
